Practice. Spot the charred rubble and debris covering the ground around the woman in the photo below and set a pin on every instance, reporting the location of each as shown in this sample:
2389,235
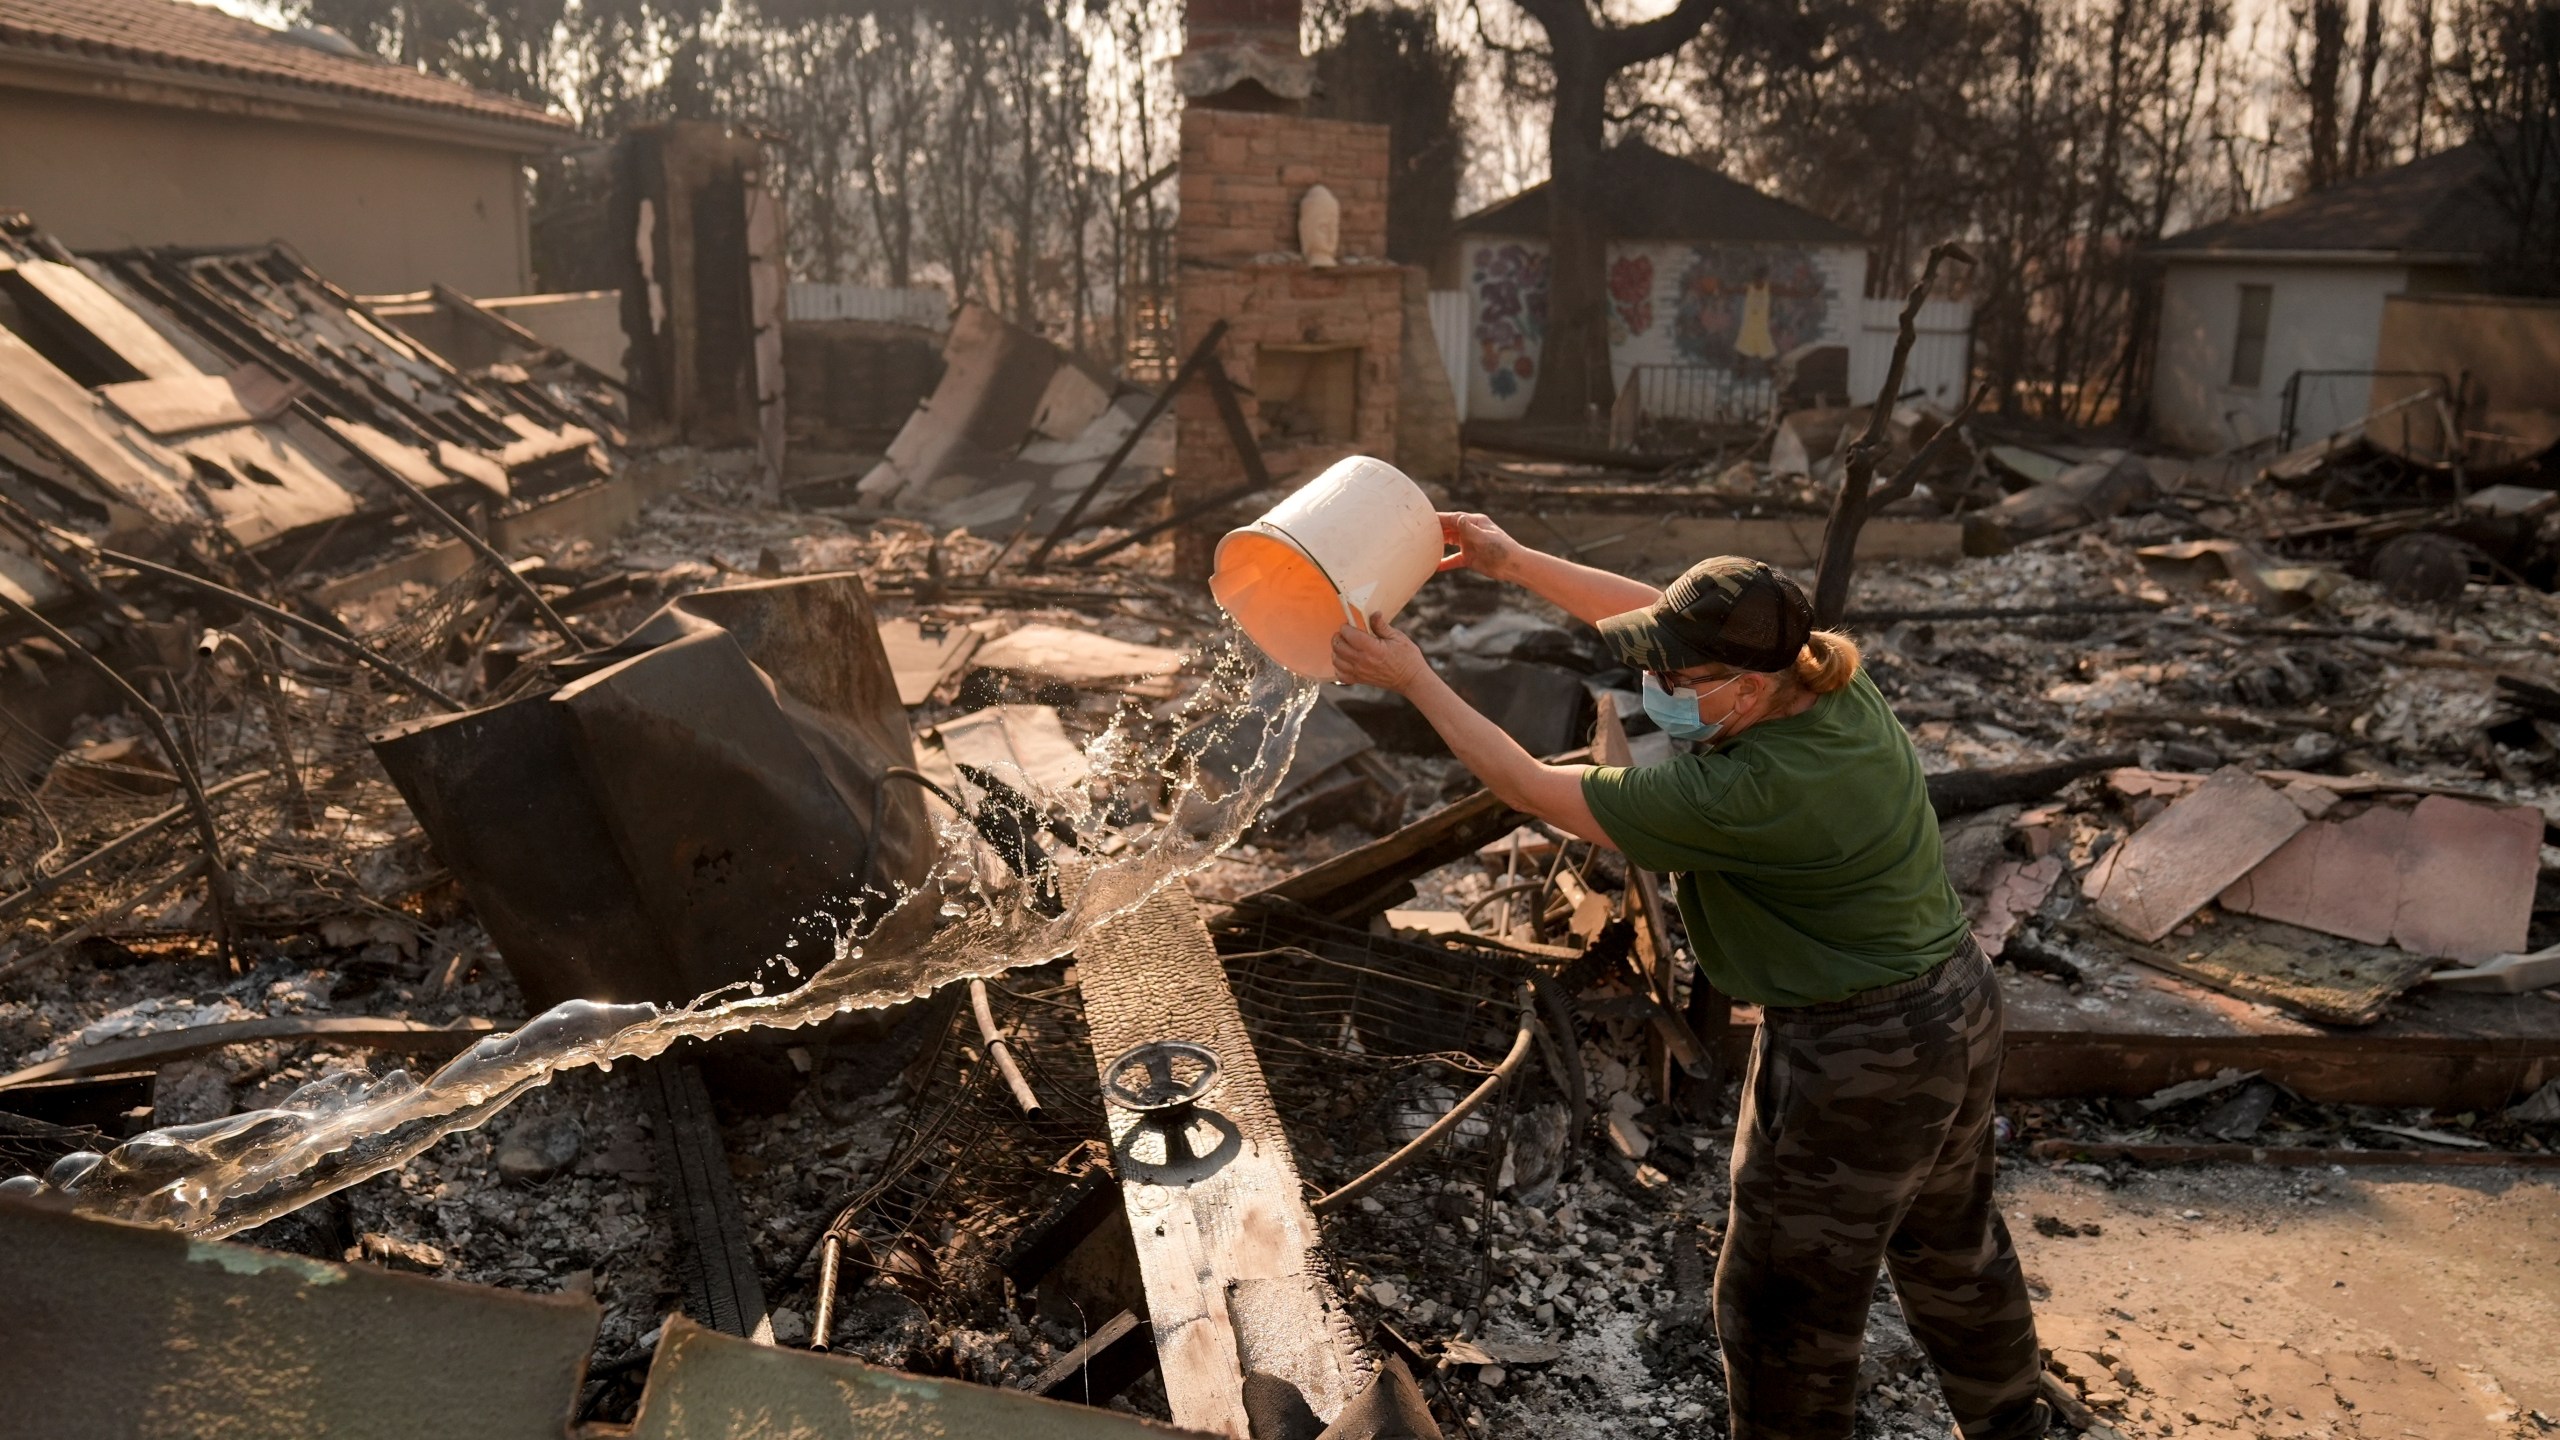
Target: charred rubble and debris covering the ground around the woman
2223,785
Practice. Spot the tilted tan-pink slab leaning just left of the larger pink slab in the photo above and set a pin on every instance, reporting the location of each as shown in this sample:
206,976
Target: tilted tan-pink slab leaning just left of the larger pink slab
2190,855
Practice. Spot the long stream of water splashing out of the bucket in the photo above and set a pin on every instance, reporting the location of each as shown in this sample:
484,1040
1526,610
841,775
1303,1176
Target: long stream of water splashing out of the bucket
229,1175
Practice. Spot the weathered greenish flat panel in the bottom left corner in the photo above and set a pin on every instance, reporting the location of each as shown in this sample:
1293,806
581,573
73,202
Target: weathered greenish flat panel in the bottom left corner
137,1334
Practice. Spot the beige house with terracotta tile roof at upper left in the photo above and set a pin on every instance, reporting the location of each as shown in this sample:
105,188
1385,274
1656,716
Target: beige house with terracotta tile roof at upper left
168,124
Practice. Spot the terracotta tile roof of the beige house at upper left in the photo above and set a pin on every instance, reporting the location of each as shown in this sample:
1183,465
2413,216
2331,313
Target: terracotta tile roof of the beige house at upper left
196,40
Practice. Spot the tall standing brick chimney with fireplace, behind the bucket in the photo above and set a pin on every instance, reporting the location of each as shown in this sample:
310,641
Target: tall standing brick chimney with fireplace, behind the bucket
1315,352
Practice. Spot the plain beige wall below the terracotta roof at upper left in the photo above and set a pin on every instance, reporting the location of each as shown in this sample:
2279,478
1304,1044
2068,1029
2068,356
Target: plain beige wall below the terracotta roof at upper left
372,211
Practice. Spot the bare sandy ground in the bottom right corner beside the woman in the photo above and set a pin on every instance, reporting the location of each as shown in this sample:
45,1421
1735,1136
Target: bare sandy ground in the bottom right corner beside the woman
2300,1303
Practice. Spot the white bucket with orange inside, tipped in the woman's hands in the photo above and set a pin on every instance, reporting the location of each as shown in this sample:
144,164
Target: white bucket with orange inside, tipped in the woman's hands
1356,542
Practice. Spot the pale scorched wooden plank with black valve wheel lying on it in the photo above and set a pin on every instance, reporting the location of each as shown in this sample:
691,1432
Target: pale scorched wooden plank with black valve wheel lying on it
1225,1244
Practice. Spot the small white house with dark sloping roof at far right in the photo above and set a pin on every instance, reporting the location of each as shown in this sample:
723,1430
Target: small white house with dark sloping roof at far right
2292,299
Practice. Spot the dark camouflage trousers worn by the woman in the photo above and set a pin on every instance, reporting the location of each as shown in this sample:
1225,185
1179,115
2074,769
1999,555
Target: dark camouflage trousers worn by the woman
1868,1136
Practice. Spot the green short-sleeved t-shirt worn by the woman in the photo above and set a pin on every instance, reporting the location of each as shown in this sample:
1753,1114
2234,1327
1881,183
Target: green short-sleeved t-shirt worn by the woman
1806,852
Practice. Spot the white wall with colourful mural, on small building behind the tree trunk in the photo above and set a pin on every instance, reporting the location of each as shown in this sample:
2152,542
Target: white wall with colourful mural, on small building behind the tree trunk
1701,306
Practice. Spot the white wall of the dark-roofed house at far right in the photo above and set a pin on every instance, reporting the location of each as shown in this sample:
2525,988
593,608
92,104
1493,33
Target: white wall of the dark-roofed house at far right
2321,316
